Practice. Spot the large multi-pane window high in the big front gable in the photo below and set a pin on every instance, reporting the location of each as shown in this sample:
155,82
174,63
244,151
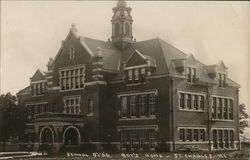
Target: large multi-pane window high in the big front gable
71,79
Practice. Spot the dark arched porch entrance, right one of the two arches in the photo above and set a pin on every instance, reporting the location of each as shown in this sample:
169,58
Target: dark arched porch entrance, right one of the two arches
71,136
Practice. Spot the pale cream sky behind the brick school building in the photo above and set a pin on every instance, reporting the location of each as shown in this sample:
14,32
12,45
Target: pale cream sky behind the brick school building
32,31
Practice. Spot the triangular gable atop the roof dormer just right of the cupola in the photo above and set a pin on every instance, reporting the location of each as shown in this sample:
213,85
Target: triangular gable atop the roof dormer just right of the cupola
136,59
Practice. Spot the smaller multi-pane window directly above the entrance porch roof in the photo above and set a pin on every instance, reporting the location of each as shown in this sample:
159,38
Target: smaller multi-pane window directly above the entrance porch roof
72,105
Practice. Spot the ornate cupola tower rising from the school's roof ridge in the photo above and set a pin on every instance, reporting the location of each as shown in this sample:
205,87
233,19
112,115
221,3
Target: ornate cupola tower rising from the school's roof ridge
122,25
